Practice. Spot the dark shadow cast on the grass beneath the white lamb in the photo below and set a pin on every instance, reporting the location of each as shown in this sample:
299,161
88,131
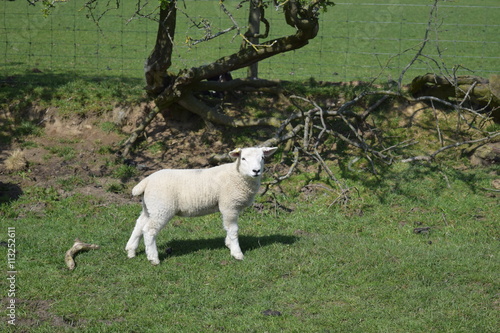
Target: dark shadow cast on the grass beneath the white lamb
180,247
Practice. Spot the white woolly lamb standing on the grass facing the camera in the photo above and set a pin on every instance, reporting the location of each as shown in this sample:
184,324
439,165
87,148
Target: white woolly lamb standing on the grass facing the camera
227,188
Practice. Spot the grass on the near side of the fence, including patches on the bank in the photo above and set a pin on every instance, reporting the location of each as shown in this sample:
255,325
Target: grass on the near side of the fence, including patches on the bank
414,250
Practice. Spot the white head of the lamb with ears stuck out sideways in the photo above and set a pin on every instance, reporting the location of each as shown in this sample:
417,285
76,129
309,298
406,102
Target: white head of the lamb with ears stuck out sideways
251,160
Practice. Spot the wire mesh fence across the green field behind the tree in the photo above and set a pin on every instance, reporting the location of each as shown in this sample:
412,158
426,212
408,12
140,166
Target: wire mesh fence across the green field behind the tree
358,40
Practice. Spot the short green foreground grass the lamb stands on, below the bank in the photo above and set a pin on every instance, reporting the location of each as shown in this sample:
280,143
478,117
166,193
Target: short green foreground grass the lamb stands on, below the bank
359,268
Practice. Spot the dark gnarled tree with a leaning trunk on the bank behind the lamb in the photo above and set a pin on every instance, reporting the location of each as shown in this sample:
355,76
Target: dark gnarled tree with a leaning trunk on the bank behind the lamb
168,88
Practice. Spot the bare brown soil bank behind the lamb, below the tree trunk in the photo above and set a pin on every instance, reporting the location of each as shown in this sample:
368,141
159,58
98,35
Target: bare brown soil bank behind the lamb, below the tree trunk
81,155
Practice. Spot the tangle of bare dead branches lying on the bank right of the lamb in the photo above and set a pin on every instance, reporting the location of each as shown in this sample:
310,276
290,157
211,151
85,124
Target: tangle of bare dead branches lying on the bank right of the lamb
310,126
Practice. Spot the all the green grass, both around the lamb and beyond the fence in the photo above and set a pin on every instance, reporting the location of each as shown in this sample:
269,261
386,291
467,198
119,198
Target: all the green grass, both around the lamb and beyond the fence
414,250
